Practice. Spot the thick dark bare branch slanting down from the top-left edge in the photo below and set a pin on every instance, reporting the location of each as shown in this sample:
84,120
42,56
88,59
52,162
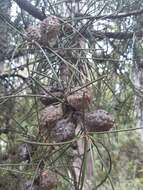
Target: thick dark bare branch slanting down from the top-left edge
31,9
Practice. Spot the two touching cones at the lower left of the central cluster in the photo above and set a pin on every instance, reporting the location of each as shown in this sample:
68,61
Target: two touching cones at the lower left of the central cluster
54,126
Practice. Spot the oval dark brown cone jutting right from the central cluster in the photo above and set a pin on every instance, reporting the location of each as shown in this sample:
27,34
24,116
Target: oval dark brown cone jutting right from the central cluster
98,121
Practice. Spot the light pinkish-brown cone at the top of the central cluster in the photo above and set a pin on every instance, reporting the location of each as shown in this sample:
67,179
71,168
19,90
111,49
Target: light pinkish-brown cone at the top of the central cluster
79,99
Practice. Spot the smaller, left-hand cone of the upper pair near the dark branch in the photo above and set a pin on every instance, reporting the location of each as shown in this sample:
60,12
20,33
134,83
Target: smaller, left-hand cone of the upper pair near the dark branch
33,34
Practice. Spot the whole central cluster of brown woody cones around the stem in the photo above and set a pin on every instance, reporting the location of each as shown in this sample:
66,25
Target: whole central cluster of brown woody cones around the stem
60,127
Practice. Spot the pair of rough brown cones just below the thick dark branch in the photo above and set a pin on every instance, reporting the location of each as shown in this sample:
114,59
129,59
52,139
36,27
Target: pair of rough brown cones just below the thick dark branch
46,33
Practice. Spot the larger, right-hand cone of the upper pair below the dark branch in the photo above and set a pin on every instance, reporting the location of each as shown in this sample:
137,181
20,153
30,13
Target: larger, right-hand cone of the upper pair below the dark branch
50,28
